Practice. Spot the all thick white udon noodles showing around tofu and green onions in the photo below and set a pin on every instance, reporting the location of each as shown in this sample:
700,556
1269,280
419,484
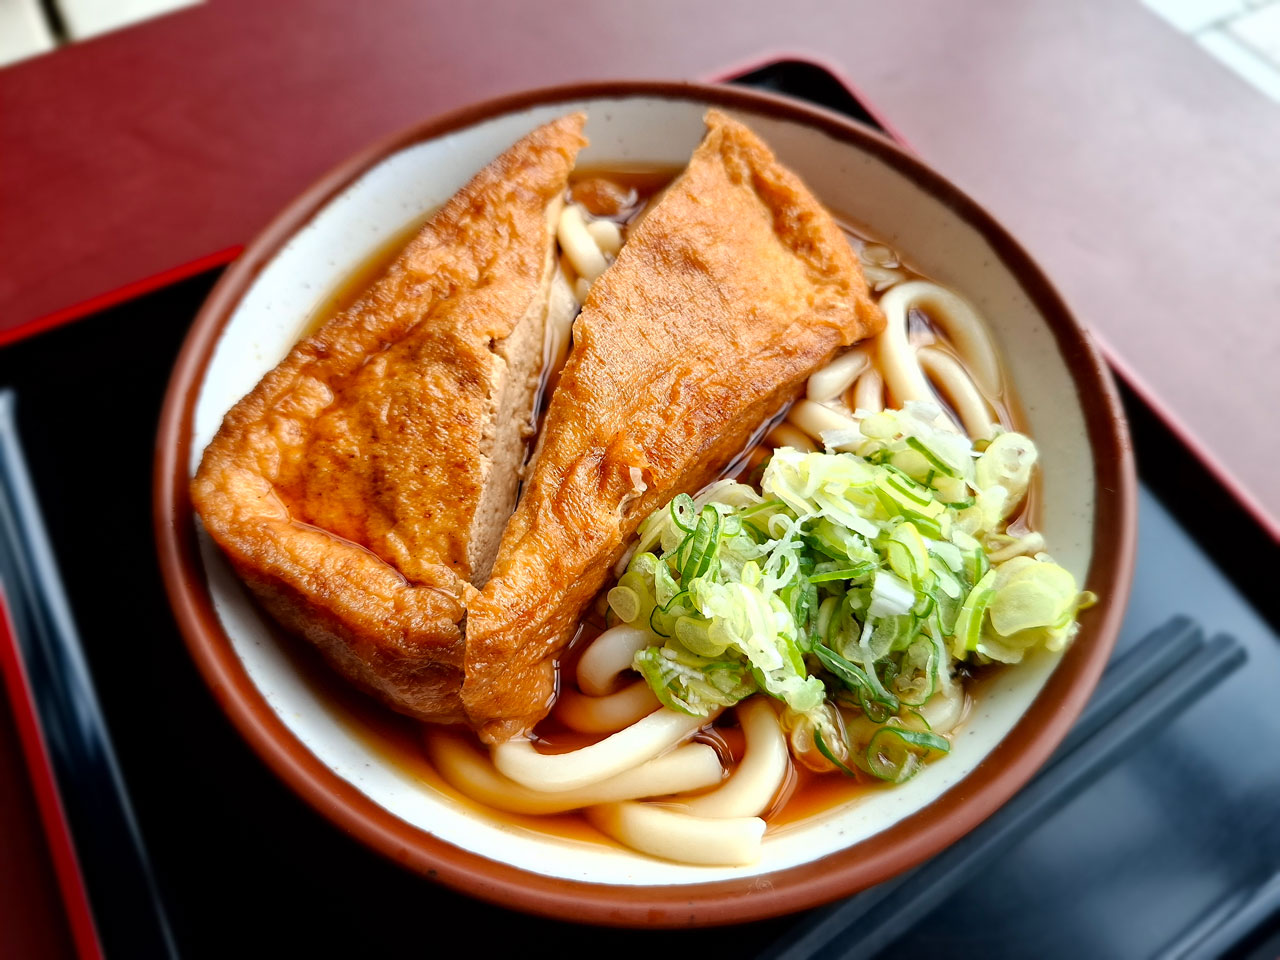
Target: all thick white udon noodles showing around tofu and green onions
665,783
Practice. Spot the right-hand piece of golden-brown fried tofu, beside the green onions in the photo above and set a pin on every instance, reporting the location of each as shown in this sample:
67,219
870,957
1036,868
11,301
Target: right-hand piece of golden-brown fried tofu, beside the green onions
735,287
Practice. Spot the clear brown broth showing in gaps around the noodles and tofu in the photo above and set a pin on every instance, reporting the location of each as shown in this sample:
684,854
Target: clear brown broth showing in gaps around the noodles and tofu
400,739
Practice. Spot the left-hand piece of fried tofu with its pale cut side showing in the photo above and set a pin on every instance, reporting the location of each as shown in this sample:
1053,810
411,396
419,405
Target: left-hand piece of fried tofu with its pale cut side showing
363,487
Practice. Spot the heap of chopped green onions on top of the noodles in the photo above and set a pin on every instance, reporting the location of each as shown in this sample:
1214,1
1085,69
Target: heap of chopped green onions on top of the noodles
851,579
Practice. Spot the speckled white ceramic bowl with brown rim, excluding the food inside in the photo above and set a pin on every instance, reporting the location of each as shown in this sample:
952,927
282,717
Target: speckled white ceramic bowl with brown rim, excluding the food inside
262,307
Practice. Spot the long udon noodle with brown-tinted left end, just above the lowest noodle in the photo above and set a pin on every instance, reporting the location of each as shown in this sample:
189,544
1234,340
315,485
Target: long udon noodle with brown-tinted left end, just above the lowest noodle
693,767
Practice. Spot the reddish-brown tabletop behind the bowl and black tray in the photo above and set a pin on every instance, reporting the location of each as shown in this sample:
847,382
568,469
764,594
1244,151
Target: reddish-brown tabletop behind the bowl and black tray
1140,172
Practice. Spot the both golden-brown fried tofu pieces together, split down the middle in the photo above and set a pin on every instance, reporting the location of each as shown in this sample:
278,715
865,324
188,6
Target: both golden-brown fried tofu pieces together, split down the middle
360,490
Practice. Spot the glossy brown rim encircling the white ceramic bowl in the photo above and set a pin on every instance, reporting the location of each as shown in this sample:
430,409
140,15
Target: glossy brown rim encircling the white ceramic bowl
911,842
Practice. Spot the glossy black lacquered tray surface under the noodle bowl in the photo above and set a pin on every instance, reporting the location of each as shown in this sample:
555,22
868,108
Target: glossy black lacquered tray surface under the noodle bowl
1154,833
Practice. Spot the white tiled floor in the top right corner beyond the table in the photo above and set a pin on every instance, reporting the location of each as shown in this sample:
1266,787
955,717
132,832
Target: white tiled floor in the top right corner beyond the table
1245,35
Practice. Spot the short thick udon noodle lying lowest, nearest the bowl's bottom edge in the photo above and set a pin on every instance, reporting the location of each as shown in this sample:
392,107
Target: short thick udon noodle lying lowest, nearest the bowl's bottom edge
661,831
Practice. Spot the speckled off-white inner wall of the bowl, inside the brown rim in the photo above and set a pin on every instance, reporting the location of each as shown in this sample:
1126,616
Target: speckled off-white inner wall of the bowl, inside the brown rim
857,186
